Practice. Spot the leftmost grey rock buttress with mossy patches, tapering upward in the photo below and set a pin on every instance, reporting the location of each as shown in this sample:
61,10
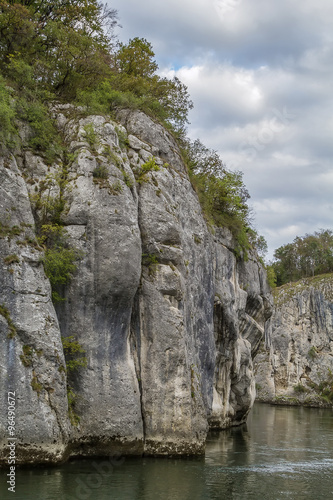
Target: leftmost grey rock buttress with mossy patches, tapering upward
40,388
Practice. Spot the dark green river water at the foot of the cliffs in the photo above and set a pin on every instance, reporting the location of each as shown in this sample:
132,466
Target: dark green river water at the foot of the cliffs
281,453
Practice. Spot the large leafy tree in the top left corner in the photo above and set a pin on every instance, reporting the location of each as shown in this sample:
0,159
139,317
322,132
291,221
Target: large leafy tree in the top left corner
66,43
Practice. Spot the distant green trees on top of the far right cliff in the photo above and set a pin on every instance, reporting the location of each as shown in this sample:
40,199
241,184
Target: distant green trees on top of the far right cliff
306,256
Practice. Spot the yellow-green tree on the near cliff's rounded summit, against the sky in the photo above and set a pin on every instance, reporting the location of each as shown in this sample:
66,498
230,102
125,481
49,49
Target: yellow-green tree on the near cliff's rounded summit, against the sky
134,83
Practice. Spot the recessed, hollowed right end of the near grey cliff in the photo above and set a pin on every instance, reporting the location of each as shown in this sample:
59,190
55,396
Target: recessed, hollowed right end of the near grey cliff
242,305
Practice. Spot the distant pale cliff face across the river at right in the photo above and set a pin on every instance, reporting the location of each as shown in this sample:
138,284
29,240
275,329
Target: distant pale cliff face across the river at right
295,363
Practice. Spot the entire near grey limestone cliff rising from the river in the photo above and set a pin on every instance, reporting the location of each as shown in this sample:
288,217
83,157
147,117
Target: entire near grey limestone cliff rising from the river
169,318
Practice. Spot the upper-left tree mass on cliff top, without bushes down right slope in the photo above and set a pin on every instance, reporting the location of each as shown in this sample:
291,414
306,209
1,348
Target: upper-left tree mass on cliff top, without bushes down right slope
66,50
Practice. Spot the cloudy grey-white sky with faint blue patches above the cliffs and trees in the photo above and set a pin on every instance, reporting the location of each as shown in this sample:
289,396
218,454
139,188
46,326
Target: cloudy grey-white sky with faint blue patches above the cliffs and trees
260,74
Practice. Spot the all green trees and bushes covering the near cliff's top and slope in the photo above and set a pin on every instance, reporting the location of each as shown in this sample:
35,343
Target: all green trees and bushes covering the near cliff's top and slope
66,51
